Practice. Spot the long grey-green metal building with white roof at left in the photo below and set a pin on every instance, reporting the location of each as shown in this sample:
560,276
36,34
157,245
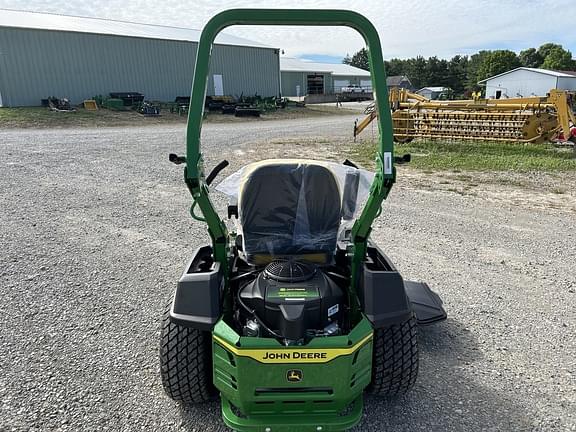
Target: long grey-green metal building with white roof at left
44,55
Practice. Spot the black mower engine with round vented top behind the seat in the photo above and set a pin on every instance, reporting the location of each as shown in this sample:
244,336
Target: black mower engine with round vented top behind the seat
292,300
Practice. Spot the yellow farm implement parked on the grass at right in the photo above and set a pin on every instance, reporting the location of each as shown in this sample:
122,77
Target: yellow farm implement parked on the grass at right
530,119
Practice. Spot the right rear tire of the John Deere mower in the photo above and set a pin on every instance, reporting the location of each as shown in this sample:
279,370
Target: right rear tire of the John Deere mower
395,359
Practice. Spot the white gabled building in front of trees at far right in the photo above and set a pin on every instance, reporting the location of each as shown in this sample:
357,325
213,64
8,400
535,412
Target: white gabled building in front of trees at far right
526,82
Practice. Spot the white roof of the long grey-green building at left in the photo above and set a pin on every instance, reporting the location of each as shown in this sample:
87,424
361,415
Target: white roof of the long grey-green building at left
45,21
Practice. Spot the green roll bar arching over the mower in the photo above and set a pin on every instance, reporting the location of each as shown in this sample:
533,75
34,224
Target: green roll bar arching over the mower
194,171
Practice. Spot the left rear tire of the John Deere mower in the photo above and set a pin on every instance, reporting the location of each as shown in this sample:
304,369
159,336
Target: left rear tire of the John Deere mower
186,362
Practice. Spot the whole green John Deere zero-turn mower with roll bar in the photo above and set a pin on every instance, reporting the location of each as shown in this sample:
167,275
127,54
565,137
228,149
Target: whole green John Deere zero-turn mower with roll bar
296,313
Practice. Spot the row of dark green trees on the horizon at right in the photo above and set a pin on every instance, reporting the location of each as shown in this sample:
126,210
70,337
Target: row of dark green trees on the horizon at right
462,73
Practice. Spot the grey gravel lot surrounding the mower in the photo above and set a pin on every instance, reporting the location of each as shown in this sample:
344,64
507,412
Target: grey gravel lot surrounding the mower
95,231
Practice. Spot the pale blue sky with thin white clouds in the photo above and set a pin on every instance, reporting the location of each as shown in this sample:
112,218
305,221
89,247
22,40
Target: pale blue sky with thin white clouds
407,28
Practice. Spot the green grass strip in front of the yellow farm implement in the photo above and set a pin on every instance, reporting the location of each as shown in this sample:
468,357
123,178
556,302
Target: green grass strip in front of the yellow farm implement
478,156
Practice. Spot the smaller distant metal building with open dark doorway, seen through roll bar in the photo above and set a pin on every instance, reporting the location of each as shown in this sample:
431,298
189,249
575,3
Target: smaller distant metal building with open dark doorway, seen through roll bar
301,77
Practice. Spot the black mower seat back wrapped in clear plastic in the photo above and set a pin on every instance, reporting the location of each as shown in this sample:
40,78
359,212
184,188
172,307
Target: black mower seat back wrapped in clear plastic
289,208
